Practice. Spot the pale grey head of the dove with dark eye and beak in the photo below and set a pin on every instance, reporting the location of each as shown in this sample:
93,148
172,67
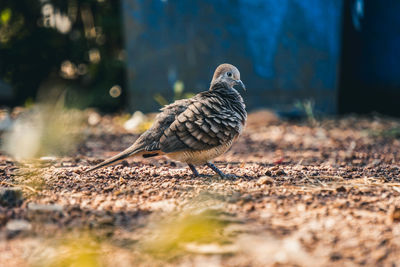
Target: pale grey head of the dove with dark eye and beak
227,74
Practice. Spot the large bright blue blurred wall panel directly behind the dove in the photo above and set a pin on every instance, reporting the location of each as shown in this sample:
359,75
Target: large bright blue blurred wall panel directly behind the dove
286,50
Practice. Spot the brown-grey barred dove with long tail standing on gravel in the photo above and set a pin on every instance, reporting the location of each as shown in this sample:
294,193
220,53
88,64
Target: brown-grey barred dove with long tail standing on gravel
195,130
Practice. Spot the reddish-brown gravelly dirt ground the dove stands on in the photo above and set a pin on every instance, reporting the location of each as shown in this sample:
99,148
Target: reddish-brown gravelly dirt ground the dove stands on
325,193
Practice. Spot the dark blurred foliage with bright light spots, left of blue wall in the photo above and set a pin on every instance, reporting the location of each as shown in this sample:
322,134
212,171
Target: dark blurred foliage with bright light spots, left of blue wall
70,45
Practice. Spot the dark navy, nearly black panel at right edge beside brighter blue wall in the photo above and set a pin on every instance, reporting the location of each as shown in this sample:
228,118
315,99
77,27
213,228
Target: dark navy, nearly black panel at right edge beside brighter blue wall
370,64
